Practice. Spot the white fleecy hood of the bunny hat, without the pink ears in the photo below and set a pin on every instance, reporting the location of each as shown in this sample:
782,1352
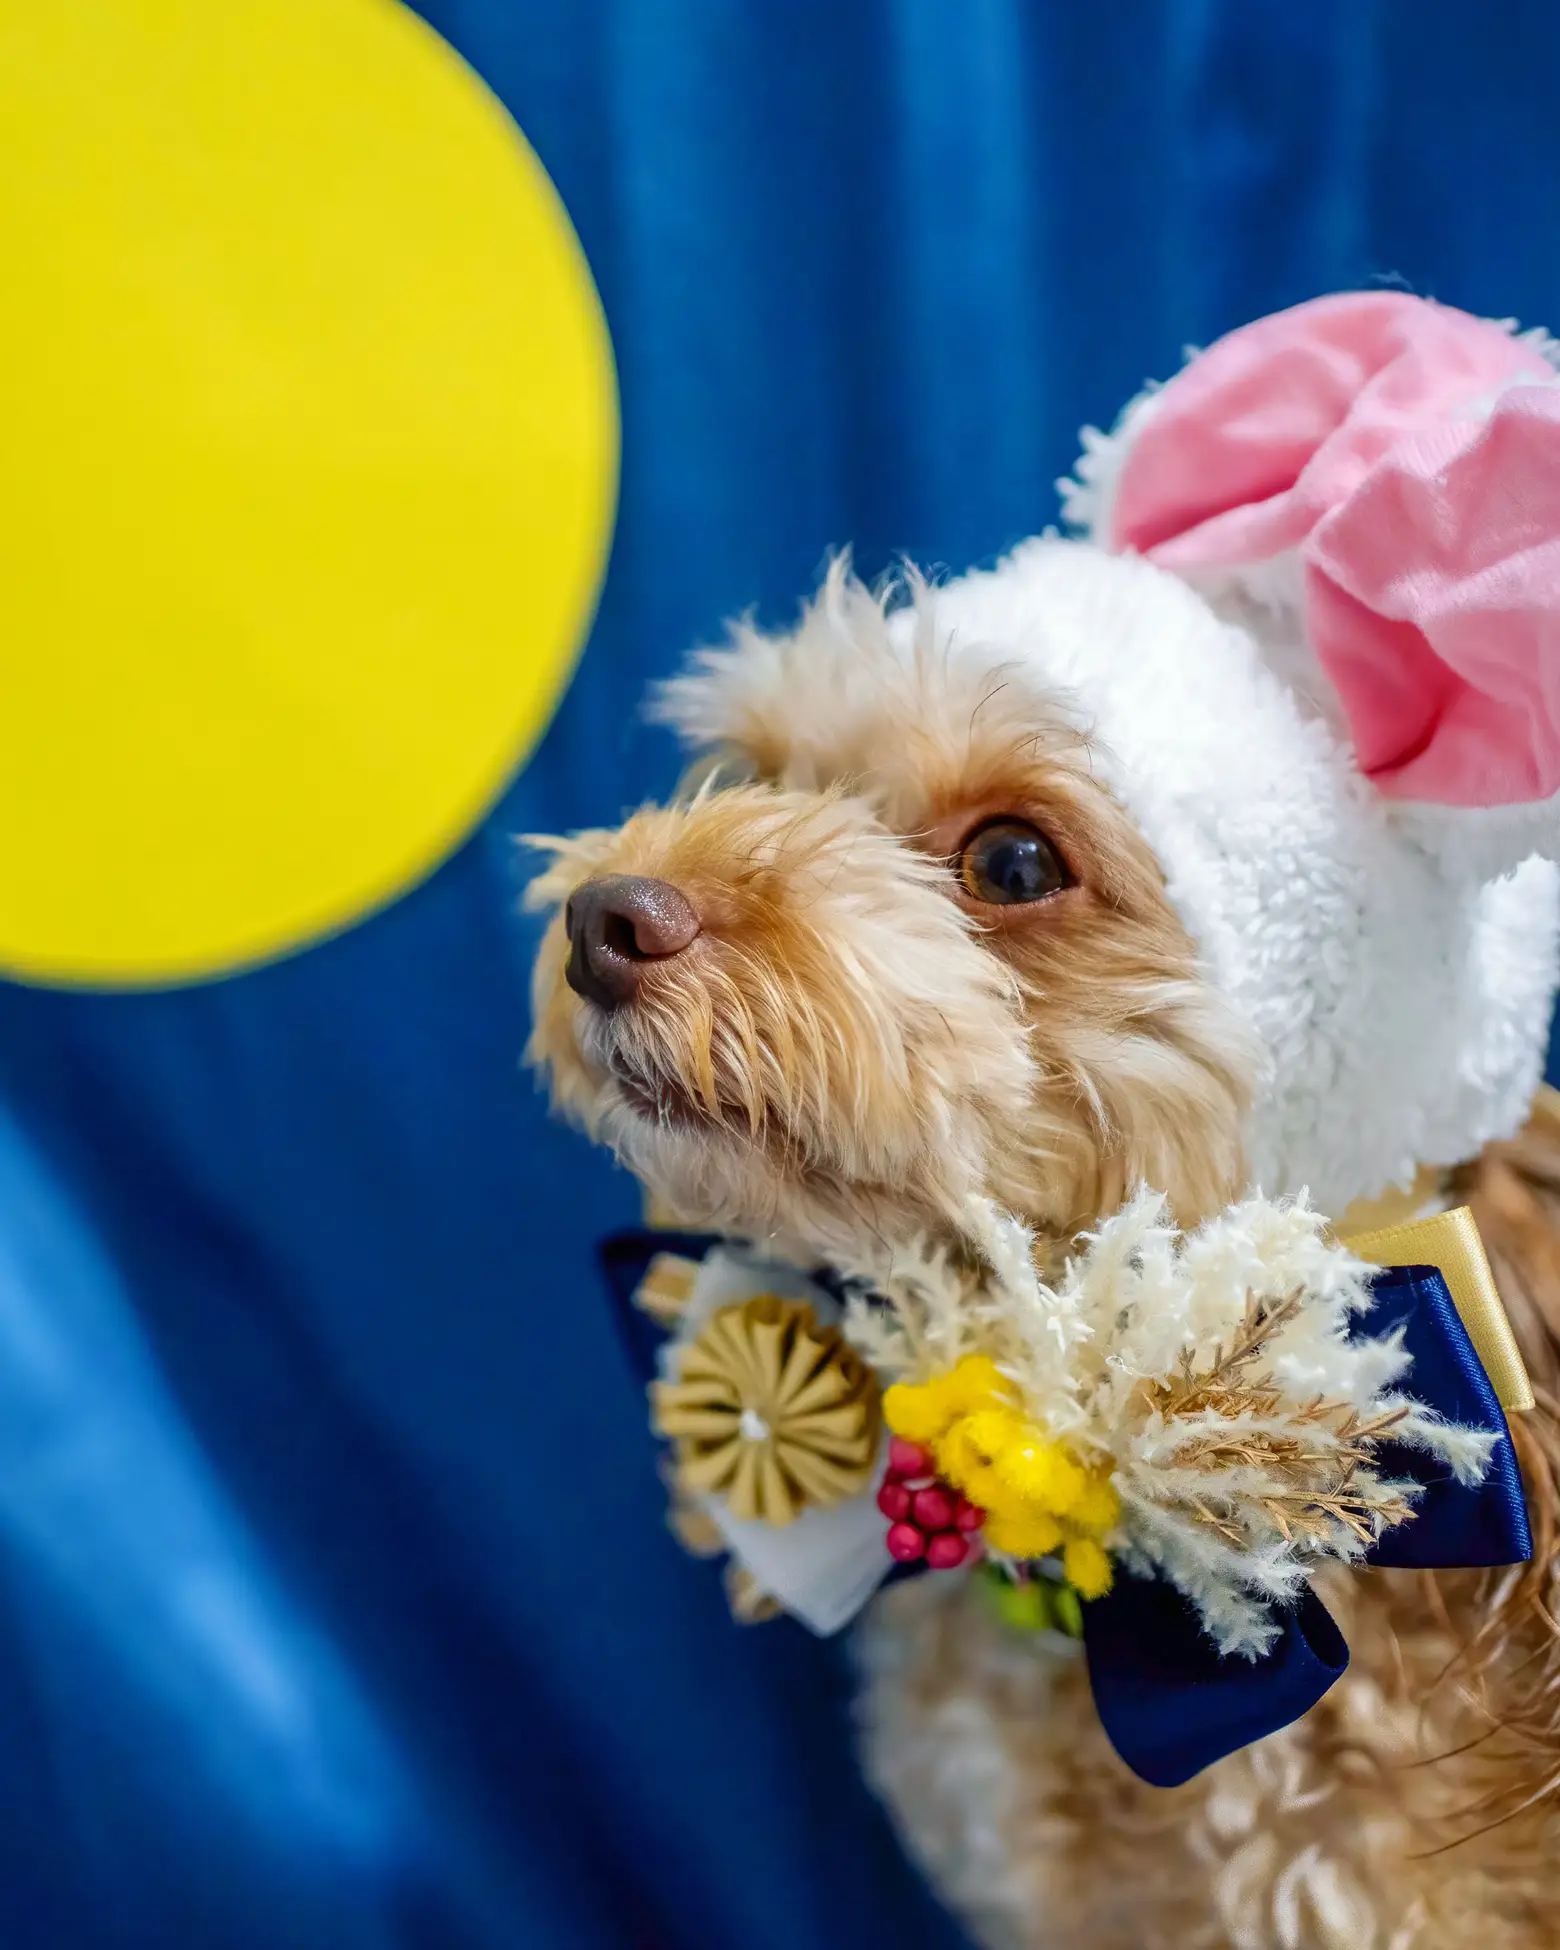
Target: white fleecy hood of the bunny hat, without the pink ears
1403,1003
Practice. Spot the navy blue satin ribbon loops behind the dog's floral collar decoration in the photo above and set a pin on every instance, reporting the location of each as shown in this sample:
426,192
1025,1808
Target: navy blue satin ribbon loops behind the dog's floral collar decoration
1167,1697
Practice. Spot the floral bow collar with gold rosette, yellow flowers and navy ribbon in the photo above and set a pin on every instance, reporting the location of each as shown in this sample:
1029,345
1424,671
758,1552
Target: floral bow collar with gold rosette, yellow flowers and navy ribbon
1151,1456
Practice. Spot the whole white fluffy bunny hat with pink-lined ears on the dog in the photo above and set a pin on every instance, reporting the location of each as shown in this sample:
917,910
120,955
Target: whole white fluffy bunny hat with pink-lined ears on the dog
1329,691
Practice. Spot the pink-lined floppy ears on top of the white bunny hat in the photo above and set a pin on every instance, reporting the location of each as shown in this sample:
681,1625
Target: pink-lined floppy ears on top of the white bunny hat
1372,483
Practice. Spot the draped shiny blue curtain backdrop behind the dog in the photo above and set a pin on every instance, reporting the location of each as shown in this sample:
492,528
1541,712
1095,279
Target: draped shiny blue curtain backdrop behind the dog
334,1596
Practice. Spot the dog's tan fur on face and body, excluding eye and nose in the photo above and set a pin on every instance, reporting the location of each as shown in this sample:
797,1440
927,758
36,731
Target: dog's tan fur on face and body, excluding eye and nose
851,1048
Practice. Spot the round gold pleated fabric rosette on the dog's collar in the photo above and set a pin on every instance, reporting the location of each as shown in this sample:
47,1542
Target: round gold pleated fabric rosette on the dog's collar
771,1413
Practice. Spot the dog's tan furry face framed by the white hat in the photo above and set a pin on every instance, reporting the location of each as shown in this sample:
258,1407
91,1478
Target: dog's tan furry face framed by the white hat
917,955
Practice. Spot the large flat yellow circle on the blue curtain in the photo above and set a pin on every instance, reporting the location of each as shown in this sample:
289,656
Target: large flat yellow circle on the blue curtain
309,471
